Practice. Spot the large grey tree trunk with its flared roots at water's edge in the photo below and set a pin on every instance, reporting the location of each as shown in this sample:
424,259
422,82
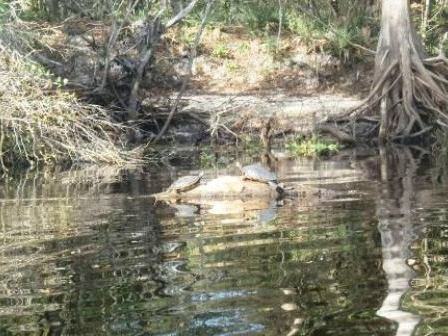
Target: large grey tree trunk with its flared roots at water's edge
410,93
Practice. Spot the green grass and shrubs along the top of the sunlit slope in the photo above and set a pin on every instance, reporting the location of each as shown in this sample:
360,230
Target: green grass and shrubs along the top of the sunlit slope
319,30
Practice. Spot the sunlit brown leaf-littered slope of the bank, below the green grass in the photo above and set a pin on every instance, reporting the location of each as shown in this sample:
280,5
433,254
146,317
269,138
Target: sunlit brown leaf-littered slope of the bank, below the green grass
234,61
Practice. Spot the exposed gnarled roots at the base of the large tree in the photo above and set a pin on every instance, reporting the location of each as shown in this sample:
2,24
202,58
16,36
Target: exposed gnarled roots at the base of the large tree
412,98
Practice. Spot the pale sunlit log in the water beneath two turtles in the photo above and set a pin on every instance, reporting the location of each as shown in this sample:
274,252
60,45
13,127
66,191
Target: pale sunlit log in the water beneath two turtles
223,187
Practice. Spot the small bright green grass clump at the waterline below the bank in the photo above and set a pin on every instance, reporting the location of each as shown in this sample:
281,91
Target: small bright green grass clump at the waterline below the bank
313,146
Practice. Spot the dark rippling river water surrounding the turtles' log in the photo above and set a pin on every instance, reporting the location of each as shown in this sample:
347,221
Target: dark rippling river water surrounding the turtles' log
363,251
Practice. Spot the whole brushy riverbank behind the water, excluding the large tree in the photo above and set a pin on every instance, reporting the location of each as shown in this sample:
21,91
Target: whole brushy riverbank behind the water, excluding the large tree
101,81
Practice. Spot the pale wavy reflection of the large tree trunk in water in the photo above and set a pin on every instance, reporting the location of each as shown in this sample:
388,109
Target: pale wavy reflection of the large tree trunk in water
396,197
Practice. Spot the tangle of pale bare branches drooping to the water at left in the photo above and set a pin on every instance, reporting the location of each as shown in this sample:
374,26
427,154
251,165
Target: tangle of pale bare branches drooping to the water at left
42,123
